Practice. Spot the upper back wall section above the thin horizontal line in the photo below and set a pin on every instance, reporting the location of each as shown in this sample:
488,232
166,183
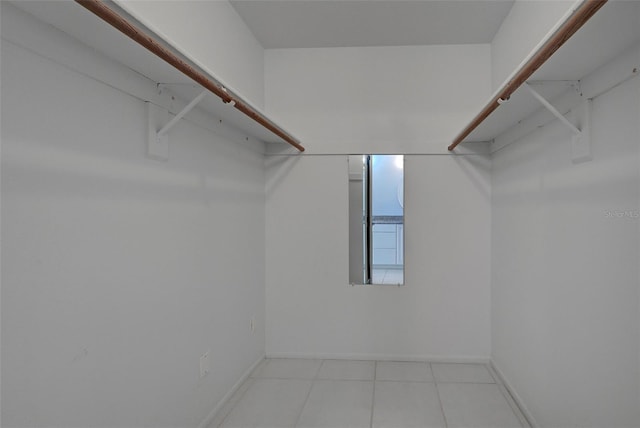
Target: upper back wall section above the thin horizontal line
409,99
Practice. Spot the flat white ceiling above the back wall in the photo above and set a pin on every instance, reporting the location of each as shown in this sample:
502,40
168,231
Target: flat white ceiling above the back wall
340,23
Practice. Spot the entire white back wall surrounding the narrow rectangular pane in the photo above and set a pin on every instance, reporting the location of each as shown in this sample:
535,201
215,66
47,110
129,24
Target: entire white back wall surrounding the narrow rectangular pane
378,100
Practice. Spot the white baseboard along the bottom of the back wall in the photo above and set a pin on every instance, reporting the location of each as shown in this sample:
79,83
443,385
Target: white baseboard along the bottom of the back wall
384,357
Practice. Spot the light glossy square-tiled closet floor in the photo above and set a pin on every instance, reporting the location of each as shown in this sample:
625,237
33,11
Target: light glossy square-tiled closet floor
369,394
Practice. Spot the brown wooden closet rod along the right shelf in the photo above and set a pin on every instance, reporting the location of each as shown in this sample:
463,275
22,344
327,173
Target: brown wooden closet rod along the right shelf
581,15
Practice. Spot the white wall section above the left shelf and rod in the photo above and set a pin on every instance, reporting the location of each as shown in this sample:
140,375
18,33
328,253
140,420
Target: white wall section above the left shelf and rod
211,33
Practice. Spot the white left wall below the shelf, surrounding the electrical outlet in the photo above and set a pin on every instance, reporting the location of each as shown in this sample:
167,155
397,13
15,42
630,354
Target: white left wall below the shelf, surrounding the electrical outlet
118,271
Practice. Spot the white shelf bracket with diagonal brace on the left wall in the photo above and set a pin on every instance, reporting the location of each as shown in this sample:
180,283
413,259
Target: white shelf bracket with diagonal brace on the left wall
158,140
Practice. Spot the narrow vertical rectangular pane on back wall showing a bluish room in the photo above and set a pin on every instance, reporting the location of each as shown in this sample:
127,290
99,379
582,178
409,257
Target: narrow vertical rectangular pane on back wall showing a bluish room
376,219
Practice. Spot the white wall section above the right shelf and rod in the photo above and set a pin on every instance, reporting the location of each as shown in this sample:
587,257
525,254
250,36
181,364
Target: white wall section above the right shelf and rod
521,31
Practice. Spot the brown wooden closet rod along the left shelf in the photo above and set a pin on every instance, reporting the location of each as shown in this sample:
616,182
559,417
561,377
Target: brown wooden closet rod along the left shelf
119,22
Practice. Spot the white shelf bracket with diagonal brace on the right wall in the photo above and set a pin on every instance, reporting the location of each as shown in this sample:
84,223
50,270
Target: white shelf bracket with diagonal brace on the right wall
581,138
